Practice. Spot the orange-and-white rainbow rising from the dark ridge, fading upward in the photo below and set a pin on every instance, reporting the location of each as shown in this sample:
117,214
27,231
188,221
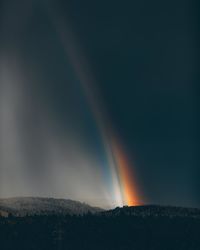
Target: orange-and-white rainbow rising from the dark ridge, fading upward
124,191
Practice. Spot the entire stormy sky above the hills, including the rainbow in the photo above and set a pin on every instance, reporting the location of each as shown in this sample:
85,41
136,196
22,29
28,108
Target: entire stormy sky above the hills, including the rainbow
98,101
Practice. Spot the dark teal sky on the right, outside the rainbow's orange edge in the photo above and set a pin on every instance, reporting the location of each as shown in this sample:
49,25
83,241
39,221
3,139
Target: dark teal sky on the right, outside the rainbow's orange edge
144,55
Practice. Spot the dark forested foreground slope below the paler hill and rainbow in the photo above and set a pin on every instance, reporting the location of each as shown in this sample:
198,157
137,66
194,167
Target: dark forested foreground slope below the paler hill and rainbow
137,228
